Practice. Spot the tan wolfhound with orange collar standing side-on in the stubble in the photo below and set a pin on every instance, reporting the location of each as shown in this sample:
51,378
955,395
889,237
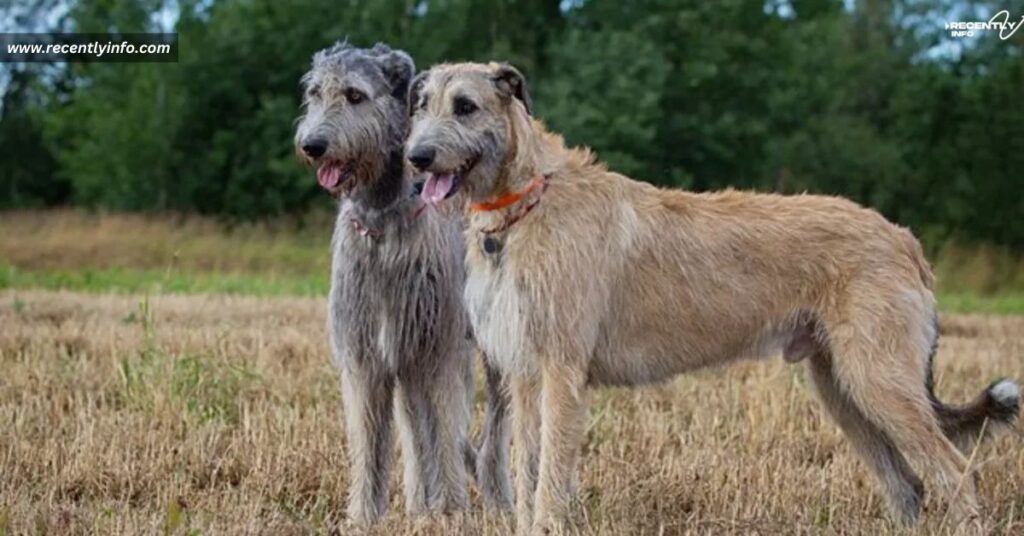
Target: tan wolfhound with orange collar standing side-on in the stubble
580,277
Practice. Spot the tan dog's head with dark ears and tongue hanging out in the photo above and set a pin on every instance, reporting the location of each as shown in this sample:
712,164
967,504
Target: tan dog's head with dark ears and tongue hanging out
467,119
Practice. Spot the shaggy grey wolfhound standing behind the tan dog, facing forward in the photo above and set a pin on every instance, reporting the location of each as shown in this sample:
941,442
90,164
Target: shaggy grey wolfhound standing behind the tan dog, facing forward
399,331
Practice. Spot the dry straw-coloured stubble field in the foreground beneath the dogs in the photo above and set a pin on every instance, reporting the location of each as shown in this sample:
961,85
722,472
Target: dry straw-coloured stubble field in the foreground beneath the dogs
222,416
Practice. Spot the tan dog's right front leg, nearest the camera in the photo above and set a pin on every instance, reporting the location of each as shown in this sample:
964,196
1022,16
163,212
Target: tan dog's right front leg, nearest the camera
564,416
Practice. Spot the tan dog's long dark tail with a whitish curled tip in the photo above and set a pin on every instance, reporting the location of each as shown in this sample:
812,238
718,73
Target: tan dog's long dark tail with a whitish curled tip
998,406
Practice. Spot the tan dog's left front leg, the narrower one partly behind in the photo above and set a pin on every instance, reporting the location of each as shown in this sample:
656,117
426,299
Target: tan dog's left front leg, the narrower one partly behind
527,446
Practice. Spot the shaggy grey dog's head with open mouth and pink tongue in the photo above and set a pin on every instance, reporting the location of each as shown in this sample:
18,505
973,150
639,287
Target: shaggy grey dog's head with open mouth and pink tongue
355,114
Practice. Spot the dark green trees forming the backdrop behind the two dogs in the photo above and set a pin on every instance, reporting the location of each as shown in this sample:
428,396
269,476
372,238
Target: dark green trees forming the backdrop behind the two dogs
872,101
